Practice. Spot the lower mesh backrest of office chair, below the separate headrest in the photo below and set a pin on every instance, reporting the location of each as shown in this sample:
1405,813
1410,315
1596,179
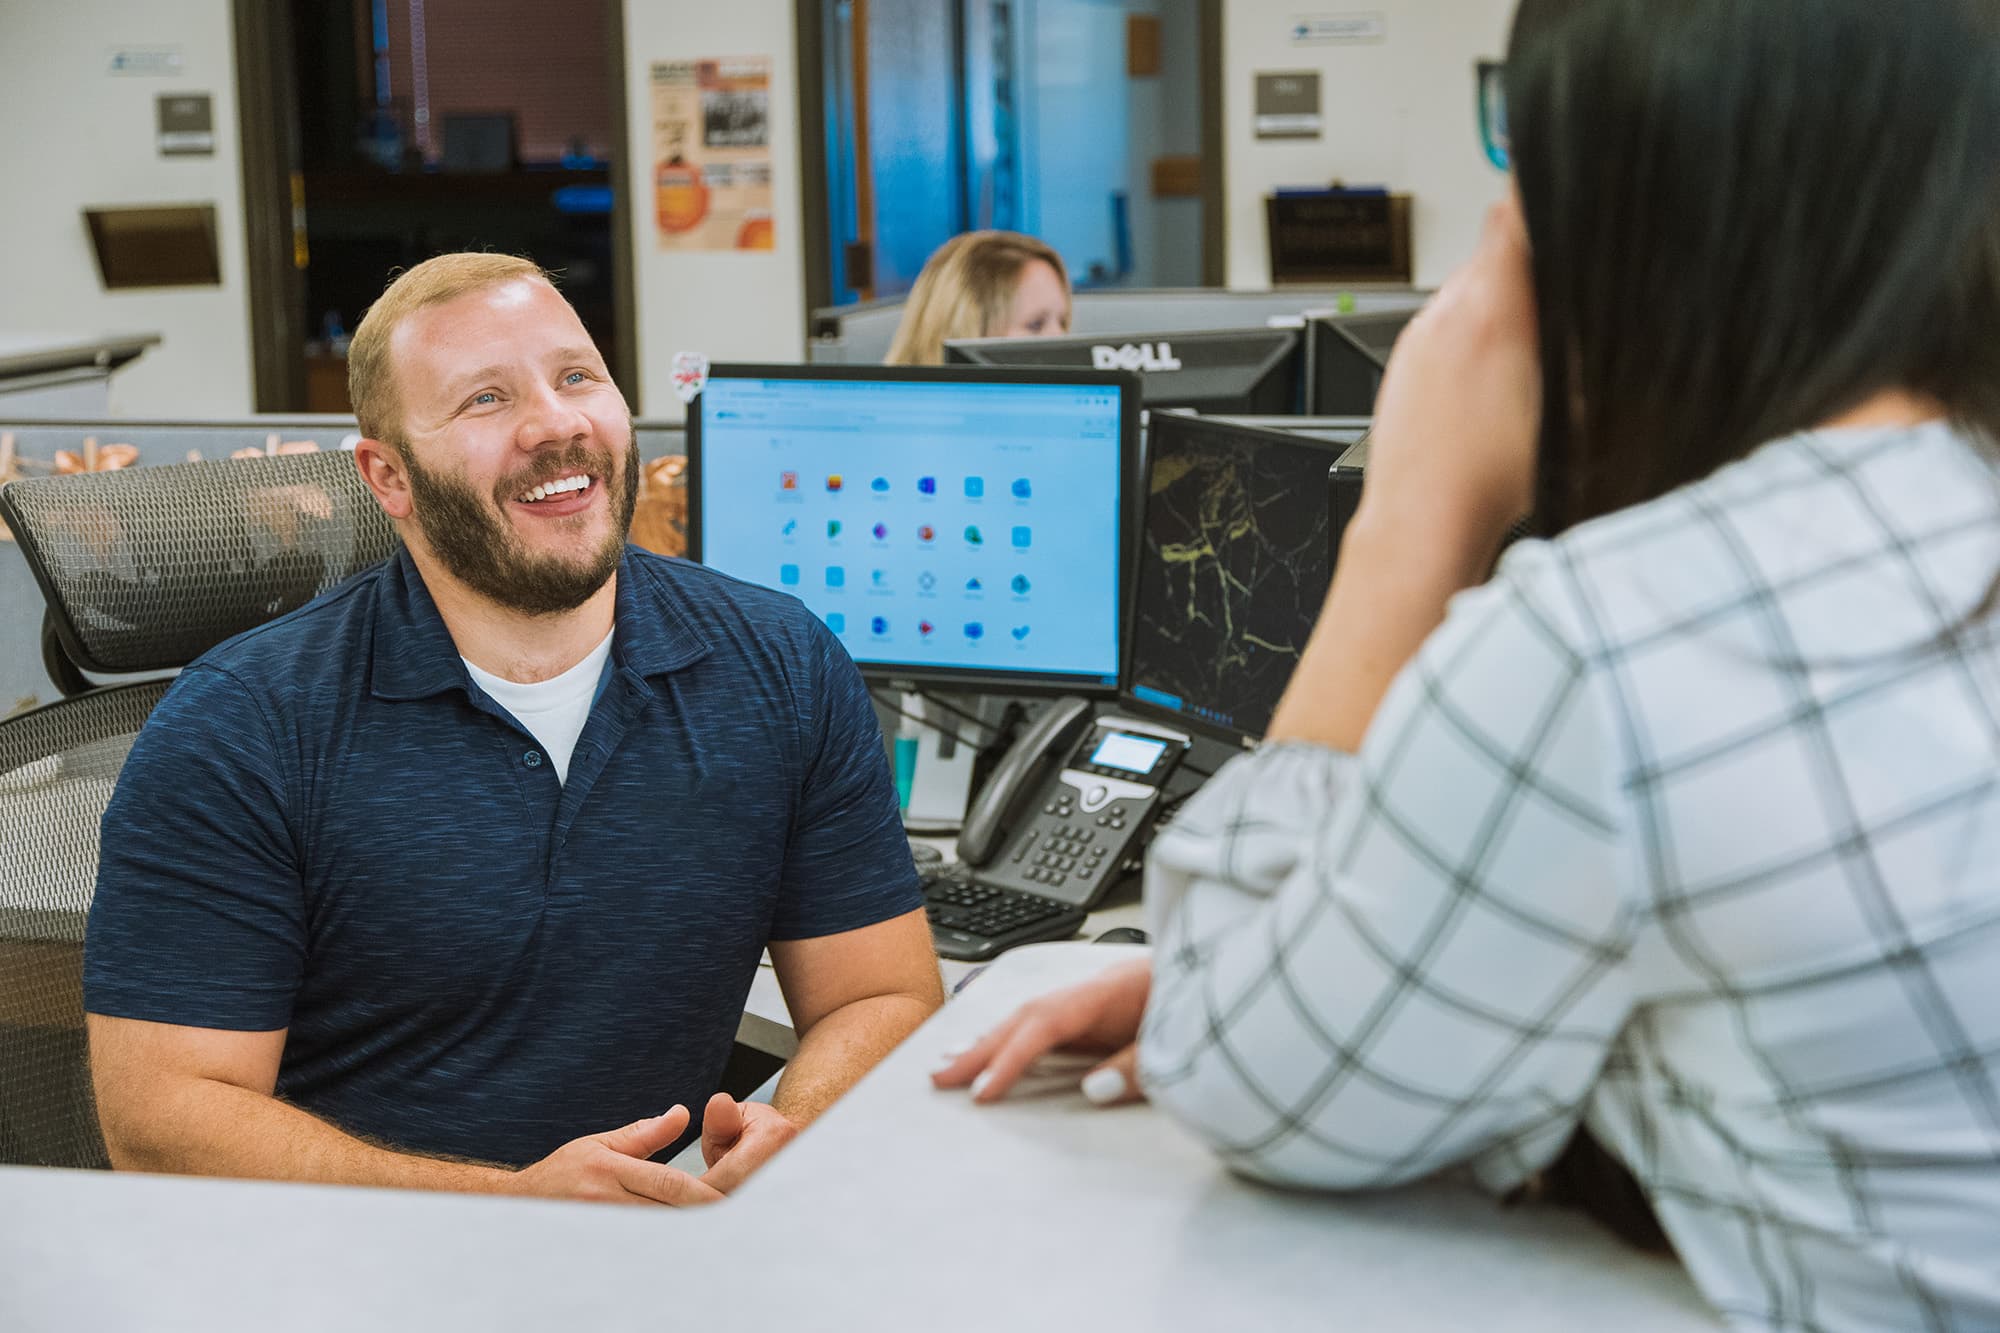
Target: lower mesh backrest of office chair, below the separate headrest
57,772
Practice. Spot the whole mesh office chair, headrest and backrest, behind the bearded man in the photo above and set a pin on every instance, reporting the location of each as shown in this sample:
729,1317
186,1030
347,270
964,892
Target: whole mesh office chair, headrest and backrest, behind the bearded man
143,573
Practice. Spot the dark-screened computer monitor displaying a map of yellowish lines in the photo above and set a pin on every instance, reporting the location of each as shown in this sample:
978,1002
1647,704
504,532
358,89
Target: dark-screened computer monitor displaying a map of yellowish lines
1233,571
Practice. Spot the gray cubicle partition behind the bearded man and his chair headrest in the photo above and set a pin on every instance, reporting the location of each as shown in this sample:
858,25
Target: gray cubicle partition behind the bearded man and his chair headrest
23,676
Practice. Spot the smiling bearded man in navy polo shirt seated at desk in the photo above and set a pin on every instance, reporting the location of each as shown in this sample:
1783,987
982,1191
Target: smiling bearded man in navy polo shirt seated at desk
459,876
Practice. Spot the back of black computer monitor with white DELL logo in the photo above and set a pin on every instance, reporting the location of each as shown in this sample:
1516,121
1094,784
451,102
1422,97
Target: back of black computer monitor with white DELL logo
1211,371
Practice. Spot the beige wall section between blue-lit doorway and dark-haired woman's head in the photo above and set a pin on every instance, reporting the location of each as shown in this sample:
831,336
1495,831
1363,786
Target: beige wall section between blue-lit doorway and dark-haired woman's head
1399,113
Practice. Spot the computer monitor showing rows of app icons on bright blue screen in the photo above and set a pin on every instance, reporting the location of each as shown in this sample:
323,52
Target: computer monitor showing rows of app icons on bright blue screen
951,527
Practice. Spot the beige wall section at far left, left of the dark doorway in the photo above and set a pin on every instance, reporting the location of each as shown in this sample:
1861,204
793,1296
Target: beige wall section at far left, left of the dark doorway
77,135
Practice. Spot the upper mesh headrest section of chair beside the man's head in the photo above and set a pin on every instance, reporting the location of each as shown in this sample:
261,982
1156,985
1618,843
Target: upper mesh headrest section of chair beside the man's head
147,569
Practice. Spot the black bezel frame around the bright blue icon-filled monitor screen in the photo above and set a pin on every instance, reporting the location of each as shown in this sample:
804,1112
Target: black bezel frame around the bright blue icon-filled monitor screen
973,680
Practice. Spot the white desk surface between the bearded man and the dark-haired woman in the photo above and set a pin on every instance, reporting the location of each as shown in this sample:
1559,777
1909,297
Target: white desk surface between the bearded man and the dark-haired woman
901,1210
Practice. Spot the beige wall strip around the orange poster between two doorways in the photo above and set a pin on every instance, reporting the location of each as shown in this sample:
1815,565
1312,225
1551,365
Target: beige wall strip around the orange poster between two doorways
729,307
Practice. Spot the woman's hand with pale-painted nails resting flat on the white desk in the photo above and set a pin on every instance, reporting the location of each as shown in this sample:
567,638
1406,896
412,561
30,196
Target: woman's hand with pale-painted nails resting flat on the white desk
1099,1016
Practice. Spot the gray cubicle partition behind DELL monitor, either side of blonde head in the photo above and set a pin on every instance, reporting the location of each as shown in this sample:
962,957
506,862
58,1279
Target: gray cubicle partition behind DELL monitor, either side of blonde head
859,335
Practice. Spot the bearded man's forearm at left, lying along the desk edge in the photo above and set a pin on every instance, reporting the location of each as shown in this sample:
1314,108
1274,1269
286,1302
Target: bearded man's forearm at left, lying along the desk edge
211,1128
